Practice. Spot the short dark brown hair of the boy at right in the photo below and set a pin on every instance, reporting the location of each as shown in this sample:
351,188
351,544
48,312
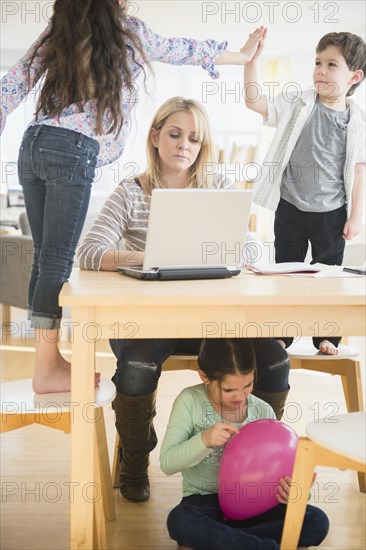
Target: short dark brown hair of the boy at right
351,46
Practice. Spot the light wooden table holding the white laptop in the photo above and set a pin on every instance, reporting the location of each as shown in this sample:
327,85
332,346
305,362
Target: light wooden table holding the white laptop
109,305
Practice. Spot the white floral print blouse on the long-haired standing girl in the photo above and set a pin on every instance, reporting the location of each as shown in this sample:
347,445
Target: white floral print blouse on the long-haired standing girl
176,51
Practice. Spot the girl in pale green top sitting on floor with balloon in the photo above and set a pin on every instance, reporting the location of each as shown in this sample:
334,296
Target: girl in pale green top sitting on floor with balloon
203,419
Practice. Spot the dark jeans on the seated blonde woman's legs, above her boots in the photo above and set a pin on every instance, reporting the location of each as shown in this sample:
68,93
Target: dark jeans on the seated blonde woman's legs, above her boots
139,363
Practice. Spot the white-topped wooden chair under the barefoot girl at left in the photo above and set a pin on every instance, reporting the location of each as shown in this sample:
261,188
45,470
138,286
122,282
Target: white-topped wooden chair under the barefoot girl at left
20,407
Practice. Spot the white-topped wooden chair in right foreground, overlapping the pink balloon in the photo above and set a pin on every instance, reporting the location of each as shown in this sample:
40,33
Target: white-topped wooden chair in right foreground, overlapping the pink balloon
339,444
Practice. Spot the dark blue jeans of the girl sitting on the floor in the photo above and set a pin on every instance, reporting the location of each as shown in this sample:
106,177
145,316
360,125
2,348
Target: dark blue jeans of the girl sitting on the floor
198,522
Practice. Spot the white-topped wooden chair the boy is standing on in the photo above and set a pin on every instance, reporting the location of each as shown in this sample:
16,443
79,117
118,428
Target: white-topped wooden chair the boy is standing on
346,364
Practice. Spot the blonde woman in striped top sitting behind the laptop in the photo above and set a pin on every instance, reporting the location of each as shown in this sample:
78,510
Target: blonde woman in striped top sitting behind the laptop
179,146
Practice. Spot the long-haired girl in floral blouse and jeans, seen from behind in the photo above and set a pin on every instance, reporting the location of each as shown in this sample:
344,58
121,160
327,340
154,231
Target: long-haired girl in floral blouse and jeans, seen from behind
86,61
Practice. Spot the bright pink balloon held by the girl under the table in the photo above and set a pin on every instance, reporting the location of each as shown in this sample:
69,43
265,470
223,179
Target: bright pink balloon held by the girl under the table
252,464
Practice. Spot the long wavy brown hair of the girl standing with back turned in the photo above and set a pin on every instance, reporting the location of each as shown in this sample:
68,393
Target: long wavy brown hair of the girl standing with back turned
85,57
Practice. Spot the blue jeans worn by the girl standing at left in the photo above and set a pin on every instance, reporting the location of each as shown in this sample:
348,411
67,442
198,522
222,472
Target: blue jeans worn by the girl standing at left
56,169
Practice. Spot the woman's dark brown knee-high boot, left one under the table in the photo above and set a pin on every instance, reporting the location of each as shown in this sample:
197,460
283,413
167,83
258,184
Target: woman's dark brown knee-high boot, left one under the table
134,423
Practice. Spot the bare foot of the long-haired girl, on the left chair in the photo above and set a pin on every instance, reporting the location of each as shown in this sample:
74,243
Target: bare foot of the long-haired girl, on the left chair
56,378
